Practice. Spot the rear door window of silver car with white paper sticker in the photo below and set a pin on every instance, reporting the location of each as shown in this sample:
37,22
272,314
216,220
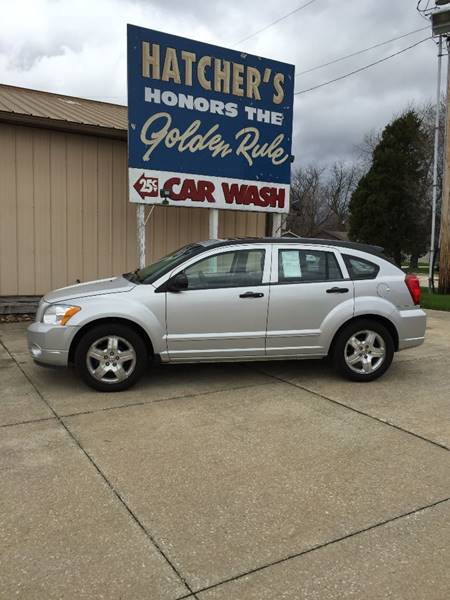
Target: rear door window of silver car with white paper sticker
299,266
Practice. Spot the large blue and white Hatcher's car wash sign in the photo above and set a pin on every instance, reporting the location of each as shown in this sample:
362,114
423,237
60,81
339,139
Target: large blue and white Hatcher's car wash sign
207,126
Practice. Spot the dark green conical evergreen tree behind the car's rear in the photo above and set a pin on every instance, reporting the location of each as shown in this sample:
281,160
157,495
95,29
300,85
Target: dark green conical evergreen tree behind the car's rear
388,207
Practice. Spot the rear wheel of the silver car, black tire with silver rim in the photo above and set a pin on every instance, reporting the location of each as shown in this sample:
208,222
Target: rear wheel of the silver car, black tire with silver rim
363,350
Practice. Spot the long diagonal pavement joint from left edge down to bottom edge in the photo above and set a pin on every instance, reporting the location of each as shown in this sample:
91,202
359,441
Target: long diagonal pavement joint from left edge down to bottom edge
116,493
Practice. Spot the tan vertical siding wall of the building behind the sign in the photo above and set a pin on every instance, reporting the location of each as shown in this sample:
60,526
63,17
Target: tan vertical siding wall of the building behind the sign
64,213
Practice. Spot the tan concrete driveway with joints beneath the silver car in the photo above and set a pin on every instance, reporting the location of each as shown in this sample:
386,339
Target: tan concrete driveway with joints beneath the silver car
227,482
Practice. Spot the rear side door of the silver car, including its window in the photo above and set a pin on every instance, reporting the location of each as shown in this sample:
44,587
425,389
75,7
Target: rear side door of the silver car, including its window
310,295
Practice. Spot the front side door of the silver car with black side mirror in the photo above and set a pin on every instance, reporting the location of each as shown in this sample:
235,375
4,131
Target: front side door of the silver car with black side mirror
222,314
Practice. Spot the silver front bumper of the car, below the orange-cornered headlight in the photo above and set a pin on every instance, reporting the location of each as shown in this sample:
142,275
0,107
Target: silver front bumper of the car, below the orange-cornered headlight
50,344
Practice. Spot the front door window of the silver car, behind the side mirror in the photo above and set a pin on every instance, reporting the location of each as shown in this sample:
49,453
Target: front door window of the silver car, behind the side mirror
229,269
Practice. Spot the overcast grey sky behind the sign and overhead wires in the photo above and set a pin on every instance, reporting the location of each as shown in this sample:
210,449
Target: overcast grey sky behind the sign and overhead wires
79,48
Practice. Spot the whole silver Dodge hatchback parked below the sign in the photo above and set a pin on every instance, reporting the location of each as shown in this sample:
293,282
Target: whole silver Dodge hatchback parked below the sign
235,300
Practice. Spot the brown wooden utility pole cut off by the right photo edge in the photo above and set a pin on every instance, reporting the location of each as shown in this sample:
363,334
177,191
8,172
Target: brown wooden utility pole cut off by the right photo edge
444,261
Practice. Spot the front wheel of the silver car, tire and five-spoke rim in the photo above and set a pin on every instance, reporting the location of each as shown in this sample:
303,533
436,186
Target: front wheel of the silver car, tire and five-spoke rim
111,357
